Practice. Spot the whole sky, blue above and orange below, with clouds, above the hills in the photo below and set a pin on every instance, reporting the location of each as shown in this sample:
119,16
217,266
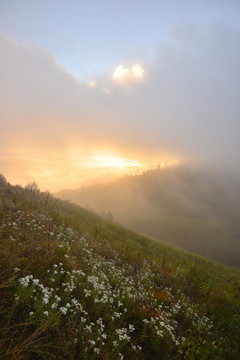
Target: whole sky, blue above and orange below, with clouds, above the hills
93,89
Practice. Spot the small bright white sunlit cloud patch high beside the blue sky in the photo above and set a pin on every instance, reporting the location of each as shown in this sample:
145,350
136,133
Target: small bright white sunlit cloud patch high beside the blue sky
123,75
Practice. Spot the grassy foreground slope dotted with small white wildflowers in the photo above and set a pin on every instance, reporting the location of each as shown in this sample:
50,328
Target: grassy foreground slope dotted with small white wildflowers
67,276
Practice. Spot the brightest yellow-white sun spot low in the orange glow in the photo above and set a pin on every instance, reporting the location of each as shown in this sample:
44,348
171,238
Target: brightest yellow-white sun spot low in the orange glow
112,161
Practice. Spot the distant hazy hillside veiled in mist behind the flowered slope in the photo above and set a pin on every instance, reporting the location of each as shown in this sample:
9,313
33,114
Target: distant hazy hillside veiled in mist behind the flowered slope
195,210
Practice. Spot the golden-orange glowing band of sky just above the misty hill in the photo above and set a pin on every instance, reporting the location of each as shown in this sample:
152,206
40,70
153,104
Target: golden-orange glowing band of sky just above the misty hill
74,168
